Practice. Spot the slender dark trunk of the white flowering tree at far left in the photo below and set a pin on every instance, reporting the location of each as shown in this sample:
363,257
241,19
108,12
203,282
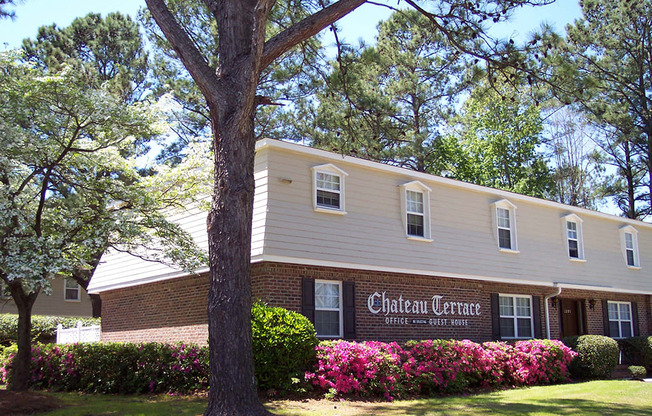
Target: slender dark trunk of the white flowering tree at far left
23,359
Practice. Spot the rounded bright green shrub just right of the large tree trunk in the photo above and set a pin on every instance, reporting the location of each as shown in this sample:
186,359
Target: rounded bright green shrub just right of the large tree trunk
283,346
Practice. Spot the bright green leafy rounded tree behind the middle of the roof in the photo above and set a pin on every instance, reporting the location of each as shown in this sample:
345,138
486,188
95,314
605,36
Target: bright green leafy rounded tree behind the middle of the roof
496,142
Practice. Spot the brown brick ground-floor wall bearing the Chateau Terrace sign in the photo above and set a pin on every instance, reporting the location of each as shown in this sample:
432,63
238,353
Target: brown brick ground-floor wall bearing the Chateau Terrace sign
175,309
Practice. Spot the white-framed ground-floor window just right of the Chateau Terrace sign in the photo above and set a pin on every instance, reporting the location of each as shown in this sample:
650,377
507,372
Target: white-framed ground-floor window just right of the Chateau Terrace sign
516,317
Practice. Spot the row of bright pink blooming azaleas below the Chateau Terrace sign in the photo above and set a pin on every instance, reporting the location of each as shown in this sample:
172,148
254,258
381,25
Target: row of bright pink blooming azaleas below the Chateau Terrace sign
436,366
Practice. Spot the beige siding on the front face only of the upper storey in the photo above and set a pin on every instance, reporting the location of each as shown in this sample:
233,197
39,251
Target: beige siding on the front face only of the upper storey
372,232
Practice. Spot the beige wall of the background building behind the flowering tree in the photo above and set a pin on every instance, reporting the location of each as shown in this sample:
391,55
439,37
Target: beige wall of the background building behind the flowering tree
54,304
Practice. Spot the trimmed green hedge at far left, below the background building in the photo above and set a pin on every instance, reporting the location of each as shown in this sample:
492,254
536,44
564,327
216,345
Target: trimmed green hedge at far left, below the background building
44,328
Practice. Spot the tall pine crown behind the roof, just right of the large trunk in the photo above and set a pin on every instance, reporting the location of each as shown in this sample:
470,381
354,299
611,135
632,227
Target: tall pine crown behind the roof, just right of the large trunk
390,102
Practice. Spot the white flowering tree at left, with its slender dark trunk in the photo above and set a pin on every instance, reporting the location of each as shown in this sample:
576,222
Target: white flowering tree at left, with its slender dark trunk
69,191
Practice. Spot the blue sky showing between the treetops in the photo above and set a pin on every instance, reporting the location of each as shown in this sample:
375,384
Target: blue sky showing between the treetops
32,14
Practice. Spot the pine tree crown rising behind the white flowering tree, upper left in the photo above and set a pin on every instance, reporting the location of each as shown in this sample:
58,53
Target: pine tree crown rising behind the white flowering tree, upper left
109,50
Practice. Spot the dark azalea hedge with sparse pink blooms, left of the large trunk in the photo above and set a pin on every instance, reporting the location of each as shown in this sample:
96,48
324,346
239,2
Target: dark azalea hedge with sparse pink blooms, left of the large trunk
117,368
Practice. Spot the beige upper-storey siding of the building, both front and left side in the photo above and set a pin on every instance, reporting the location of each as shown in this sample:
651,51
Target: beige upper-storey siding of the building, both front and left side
372,235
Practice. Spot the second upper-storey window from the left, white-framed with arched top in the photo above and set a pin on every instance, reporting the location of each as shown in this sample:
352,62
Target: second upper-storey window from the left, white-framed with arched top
415,203
